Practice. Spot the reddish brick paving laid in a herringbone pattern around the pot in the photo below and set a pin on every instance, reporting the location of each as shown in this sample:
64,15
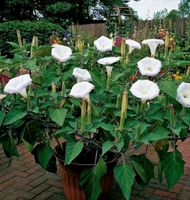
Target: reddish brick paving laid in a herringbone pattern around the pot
24,179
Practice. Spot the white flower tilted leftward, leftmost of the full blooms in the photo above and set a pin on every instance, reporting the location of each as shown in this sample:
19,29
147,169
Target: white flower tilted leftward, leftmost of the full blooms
18,85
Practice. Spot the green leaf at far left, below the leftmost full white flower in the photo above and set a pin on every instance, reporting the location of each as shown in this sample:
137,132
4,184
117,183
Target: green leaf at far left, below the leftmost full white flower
13,116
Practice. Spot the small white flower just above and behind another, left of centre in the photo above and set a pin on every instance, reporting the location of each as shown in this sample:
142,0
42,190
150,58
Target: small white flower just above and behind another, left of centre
81,74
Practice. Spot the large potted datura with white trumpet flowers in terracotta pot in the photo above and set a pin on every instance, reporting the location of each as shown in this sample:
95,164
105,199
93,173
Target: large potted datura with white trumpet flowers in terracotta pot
89,107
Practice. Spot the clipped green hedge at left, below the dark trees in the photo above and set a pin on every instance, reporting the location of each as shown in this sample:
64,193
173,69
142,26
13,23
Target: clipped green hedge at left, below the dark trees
42,29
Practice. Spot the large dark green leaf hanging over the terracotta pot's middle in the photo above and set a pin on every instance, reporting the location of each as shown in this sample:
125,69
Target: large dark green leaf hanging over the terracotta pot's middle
90,180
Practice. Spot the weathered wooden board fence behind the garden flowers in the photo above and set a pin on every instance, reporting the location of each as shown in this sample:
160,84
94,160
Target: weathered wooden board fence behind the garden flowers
141,29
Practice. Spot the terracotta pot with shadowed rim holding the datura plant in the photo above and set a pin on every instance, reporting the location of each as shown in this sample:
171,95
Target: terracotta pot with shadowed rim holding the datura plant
70,175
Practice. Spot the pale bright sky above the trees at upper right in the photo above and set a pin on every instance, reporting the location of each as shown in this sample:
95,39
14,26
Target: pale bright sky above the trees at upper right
146,8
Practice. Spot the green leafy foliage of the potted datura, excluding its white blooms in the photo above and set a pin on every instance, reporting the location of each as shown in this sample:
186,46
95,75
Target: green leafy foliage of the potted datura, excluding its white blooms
94,136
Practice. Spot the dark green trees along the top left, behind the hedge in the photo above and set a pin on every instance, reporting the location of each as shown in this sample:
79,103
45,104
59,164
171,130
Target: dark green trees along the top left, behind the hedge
55,10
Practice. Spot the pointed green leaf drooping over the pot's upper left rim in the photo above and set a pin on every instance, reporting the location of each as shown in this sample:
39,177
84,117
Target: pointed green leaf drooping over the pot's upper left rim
72,151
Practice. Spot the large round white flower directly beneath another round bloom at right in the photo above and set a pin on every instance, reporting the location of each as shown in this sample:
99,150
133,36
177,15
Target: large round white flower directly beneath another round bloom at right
145,90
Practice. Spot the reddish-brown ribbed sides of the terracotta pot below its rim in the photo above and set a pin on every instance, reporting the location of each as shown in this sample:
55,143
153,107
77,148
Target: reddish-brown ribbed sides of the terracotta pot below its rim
72,189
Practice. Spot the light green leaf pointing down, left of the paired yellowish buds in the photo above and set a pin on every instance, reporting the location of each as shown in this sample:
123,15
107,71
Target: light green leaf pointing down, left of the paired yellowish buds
58,115
